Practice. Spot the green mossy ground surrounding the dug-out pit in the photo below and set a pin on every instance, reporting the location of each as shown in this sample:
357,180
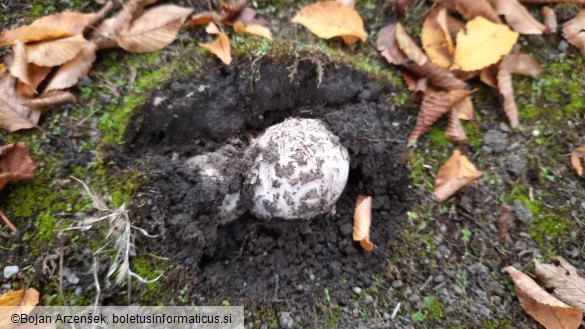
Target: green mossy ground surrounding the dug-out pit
551,111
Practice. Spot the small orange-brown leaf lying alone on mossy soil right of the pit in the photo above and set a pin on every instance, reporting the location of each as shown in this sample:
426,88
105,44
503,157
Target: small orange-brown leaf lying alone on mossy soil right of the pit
457,172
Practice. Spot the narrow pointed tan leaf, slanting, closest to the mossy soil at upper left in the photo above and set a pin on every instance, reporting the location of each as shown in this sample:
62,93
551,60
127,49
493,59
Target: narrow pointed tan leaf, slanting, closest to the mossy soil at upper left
69,73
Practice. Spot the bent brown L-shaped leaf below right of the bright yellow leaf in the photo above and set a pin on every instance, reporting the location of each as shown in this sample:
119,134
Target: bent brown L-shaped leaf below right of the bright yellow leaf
514,64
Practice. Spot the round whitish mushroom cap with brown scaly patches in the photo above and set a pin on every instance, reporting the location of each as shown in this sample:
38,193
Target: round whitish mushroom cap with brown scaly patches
300,170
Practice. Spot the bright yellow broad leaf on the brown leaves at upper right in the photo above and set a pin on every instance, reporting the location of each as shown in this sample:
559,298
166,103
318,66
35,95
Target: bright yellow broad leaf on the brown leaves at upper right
481,44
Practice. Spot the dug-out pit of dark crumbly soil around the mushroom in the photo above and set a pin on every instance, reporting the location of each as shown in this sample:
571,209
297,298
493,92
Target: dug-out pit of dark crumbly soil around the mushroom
219,113
